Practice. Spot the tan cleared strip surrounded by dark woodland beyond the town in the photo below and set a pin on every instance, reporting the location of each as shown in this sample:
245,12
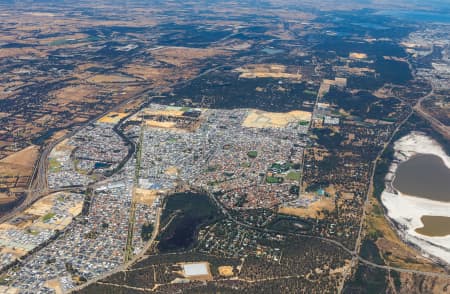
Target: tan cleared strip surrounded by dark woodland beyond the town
253,71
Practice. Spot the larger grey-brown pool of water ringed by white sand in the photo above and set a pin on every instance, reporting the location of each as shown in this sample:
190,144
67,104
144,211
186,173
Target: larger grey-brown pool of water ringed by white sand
424,176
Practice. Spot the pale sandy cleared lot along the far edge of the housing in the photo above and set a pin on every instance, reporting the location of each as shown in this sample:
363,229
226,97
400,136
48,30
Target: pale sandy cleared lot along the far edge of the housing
262,119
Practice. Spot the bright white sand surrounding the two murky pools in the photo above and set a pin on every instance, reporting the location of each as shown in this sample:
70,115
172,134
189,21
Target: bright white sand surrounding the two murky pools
407,210
